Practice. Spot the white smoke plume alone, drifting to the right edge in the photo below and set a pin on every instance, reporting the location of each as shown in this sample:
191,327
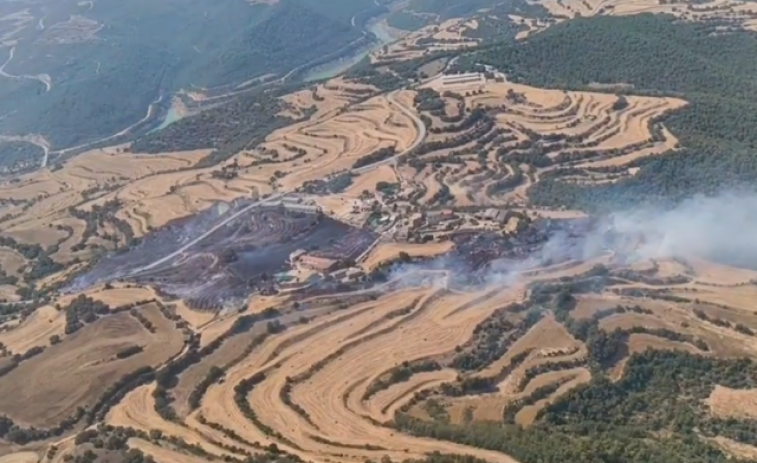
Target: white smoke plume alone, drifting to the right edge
721,228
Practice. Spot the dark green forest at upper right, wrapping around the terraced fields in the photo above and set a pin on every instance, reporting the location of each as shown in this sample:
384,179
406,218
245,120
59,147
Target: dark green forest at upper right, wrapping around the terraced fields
658,56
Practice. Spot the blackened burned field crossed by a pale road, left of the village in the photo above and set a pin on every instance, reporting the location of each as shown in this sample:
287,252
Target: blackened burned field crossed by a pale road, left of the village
238,252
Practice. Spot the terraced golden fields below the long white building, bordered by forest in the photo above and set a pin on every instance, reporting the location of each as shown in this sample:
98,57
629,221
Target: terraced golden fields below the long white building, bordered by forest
603,136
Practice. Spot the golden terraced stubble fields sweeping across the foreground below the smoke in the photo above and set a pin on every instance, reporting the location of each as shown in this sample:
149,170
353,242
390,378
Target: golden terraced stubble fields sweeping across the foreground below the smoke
312,399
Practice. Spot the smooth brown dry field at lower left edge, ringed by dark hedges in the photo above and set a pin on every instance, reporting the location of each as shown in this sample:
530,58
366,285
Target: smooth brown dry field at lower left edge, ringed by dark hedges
48,388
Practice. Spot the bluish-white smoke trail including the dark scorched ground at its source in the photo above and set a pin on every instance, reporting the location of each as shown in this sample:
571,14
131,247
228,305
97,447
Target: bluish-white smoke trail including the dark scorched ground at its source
720,228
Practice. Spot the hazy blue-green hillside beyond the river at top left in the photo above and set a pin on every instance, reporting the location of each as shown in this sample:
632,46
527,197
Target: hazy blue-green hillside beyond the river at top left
108,60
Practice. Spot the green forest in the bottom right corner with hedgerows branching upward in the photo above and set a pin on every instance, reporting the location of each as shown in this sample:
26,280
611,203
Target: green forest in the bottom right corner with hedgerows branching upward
655,413
